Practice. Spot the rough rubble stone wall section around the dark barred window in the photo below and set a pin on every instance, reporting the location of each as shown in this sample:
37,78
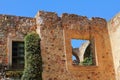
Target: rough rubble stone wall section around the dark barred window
13,28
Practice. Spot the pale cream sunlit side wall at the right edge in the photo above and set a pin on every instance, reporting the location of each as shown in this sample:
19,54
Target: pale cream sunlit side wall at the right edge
114,33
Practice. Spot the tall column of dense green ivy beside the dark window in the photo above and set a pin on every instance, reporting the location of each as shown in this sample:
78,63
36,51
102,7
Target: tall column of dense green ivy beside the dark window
33,60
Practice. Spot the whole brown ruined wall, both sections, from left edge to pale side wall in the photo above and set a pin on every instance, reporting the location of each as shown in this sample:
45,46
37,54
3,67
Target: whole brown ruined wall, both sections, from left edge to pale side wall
56,34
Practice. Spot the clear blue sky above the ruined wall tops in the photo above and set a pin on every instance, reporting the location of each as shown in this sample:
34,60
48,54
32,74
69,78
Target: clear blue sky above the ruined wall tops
90,8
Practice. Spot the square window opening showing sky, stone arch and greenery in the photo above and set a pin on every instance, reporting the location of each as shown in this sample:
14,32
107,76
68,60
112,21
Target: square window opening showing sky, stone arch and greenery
82,52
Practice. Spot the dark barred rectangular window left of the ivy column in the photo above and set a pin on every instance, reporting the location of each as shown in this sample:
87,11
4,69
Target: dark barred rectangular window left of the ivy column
17,55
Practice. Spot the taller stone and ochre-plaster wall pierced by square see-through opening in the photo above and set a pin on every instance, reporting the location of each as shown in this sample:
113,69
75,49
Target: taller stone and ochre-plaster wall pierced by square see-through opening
56,33
